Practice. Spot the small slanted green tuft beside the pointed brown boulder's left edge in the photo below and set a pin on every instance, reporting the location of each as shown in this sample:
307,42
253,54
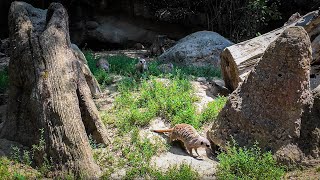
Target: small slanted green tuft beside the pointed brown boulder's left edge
213,108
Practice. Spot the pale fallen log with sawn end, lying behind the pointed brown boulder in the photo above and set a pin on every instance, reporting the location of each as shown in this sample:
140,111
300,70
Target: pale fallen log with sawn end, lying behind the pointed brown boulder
239,59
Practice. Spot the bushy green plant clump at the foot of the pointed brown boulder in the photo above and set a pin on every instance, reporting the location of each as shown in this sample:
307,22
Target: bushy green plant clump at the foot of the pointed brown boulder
244,163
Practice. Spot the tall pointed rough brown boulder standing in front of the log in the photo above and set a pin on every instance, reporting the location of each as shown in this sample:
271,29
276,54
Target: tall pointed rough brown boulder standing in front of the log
269,105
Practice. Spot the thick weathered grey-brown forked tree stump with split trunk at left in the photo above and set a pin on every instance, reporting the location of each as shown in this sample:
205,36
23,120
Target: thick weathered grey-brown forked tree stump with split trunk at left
48,90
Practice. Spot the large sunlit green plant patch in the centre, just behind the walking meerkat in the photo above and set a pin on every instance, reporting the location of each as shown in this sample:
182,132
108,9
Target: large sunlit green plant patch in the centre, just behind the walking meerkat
172,99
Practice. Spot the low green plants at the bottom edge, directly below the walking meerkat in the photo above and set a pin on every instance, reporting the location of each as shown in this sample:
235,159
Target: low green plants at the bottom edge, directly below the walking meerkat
176,173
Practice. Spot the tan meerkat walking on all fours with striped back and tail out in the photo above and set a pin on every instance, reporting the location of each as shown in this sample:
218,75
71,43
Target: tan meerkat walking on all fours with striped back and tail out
189,136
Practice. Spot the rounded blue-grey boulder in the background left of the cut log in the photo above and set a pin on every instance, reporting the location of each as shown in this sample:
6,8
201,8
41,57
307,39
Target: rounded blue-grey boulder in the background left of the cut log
199,49
